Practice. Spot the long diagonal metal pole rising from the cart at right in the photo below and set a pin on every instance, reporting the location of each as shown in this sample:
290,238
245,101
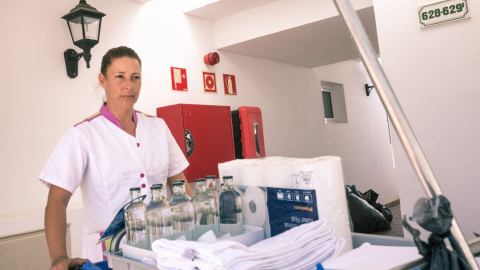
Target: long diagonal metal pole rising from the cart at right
404,131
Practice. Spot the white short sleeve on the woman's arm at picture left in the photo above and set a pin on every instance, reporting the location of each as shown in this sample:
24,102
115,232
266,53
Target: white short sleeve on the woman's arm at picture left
66,166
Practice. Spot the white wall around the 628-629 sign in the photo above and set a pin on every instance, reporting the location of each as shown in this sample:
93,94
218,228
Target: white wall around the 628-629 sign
435,75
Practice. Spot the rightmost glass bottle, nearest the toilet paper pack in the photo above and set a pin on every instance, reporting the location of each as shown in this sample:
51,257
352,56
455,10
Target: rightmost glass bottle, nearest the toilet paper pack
230,208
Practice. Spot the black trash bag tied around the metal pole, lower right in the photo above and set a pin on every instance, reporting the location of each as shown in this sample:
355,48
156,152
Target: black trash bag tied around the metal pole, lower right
435,216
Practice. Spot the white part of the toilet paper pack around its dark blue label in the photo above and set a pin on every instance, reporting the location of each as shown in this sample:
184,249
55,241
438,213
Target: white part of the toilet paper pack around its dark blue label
322,174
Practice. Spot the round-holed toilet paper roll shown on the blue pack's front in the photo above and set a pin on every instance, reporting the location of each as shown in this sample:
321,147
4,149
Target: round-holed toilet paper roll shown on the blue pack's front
254,206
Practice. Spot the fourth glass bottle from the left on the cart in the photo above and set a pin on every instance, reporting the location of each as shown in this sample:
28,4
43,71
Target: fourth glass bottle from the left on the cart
202,209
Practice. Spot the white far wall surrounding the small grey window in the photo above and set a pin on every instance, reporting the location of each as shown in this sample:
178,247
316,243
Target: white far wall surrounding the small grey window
363,143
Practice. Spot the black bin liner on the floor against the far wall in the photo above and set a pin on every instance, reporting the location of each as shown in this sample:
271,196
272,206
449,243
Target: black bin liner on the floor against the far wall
366,214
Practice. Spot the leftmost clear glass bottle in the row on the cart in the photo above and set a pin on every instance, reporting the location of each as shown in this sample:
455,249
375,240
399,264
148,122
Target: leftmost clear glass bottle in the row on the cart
135,220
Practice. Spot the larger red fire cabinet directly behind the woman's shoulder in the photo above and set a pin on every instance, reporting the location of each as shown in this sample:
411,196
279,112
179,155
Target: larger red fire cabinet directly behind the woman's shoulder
204,133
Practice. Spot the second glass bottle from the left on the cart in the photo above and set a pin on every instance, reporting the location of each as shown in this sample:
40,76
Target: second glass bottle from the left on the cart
158,215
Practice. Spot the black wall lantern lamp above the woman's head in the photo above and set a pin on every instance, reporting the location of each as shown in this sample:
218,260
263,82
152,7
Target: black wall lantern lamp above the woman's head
84,22
